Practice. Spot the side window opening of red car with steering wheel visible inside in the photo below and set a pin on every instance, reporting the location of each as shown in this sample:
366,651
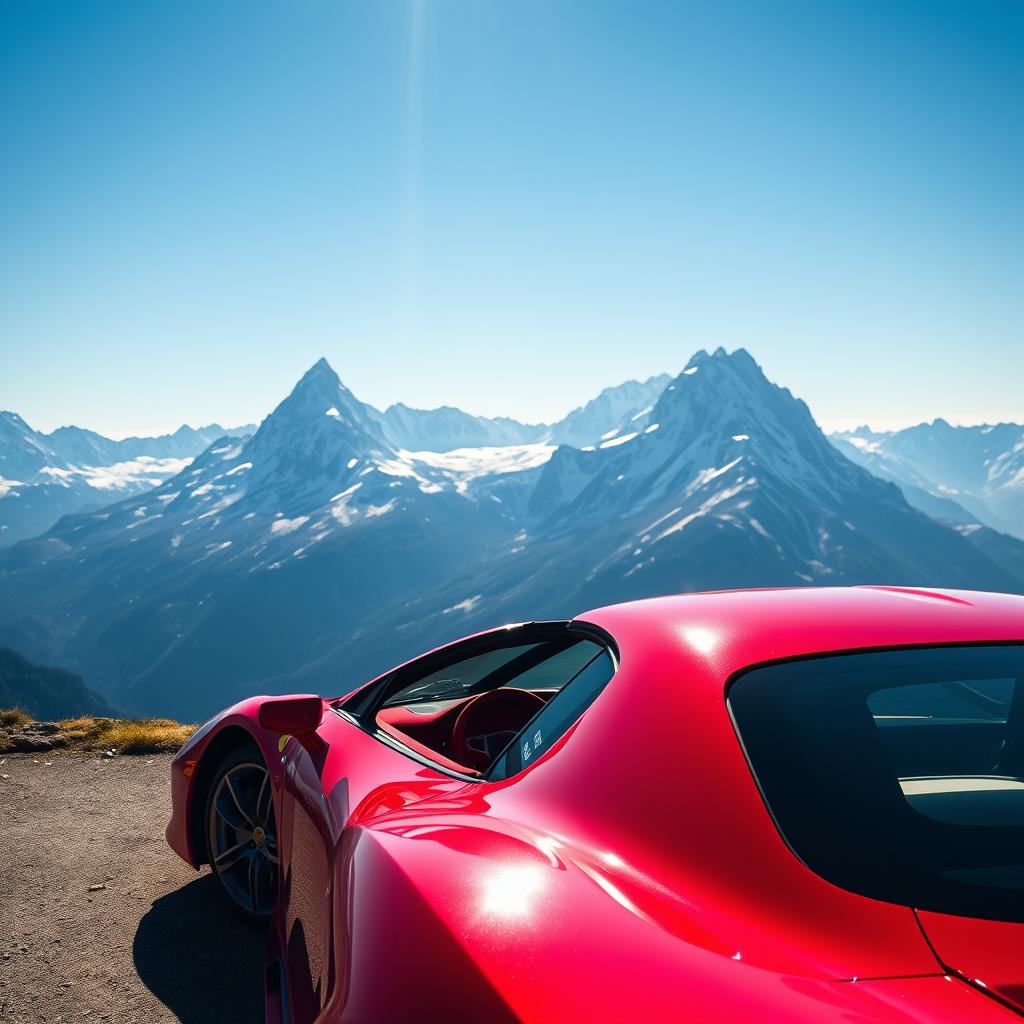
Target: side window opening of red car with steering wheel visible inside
464,707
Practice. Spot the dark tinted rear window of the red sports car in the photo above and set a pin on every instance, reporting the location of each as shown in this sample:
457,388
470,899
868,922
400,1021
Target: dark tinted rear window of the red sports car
898,775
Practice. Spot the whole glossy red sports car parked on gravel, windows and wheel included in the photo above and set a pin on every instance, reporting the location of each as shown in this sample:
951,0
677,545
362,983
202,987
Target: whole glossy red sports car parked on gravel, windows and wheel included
799,806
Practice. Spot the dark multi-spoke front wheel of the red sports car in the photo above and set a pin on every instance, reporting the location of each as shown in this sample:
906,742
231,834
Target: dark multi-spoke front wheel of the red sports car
242,835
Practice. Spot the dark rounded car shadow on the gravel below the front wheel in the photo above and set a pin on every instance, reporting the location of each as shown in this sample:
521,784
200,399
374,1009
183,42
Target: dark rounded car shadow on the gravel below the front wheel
199,959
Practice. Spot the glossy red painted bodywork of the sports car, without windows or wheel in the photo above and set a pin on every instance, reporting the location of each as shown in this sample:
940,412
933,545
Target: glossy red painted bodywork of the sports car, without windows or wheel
633,872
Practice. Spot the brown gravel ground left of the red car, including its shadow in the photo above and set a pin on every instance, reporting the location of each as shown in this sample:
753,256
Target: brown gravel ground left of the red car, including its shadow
100,921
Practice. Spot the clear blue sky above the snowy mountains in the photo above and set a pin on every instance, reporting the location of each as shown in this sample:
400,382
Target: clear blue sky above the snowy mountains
508,206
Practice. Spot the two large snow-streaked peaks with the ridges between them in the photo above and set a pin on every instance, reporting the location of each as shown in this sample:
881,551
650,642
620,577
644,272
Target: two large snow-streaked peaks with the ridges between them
337,540
